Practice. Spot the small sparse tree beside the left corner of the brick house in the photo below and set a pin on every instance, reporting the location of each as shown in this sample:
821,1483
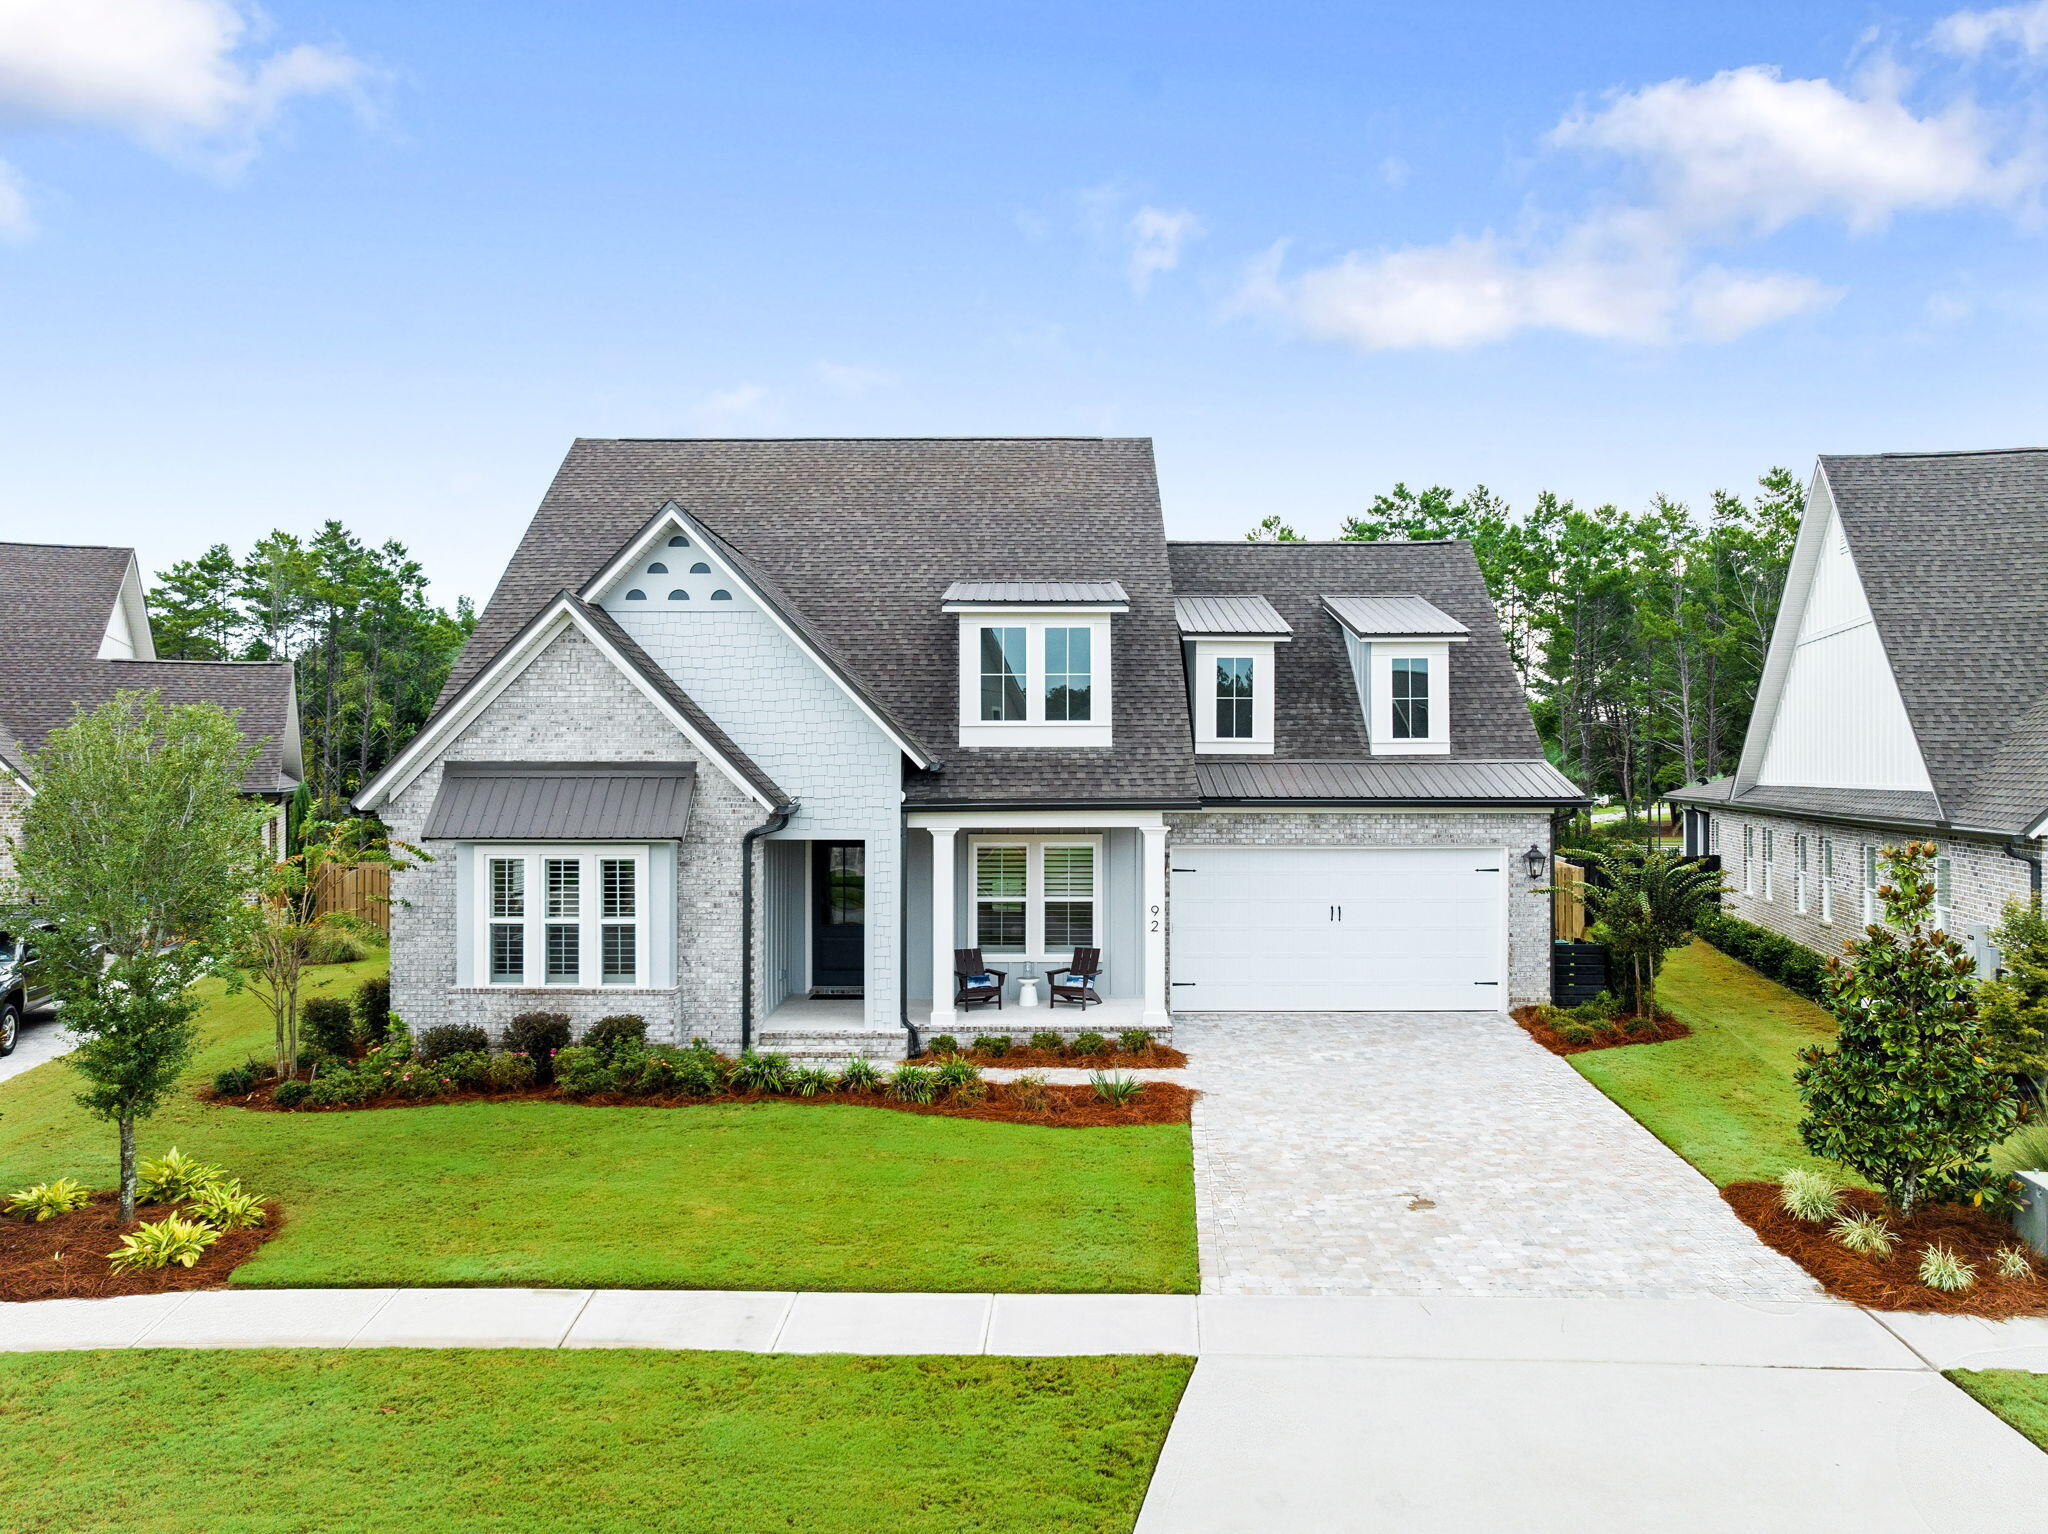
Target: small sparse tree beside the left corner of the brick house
278,929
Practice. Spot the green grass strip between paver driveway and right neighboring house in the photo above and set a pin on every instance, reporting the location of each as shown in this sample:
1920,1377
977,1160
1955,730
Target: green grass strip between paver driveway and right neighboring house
1721,1099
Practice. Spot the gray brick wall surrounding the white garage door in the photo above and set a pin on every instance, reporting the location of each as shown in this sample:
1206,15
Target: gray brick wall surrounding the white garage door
1529,914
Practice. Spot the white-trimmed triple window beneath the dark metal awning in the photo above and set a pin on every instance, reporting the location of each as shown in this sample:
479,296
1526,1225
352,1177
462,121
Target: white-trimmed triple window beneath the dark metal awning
564,917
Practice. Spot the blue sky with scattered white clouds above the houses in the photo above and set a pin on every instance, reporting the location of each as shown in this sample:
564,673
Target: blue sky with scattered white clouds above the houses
384,261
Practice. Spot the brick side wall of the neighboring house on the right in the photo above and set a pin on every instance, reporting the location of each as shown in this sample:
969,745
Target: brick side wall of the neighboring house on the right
1981,878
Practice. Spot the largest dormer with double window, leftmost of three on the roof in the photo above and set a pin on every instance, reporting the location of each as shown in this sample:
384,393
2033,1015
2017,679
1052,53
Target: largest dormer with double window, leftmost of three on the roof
1035,661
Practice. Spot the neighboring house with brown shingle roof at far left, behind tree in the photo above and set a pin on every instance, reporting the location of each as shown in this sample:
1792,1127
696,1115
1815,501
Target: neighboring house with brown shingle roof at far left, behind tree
77,634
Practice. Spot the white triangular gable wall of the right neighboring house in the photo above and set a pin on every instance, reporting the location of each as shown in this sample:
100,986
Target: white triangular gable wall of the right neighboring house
1830,714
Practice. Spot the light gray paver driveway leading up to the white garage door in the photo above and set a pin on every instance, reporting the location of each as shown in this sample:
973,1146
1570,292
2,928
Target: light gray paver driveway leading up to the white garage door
1443,1154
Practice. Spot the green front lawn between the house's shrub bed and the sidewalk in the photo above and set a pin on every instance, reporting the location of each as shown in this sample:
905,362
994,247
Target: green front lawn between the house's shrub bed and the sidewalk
720,1197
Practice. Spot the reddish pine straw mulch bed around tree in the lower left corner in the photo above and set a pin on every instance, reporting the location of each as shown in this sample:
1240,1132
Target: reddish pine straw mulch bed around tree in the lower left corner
67,1259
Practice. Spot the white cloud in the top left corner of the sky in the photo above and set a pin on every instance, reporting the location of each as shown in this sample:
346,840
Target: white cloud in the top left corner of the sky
187,79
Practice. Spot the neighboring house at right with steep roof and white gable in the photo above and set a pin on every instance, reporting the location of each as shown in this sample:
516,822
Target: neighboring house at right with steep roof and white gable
1906,697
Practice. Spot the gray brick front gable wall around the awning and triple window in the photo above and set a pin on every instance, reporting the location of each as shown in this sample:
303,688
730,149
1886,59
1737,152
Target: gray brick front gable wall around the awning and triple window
574,706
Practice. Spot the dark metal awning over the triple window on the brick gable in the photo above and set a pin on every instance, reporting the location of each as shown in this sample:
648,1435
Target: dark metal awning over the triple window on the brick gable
562,802
